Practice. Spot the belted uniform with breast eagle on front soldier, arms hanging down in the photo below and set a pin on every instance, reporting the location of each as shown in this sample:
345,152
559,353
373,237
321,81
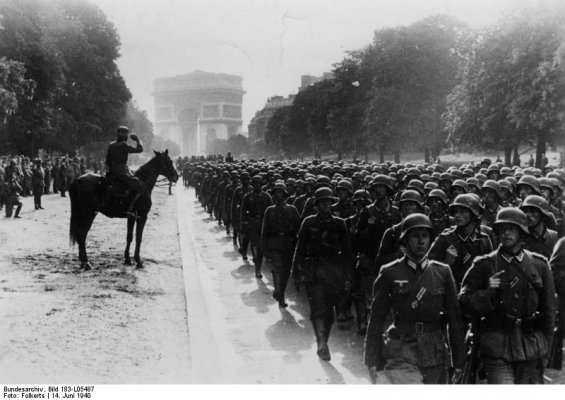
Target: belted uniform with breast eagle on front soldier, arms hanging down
421,297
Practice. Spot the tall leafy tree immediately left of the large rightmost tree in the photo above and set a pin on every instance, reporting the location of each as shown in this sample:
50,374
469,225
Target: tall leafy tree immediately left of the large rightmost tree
413,69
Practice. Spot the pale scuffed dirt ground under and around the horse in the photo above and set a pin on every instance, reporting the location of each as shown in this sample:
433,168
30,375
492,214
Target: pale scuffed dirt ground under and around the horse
113,324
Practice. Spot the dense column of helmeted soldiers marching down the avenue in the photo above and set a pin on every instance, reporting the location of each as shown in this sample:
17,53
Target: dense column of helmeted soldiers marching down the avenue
454,275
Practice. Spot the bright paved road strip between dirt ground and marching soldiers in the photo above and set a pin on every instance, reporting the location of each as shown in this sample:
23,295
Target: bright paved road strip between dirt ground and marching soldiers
238,332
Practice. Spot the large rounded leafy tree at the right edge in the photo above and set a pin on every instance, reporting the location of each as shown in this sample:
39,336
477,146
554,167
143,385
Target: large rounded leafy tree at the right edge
511,85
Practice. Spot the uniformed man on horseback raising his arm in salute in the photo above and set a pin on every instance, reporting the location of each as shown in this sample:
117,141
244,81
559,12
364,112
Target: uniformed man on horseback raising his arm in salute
116,160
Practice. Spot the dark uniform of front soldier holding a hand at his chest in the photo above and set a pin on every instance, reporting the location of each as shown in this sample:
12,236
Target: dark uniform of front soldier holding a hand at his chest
517,319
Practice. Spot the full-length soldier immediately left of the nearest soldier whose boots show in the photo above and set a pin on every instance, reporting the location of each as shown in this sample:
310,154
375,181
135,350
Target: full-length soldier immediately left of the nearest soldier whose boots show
278,237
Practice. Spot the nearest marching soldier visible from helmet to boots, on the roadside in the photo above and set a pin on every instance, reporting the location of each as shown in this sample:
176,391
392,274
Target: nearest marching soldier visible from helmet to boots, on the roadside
323,260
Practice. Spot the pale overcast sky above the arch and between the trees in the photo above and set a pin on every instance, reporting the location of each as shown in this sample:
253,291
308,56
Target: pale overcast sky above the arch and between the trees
270,43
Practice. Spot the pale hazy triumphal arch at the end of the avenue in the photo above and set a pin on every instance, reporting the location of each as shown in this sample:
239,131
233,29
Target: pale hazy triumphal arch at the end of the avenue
196,109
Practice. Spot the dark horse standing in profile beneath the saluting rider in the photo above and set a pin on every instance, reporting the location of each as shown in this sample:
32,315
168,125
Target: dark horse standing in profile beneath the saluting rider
92,193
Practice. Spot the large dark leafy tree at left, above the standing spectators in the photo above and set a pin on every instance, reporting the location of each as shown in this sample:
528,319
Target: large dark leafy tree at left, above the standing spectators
68,49
